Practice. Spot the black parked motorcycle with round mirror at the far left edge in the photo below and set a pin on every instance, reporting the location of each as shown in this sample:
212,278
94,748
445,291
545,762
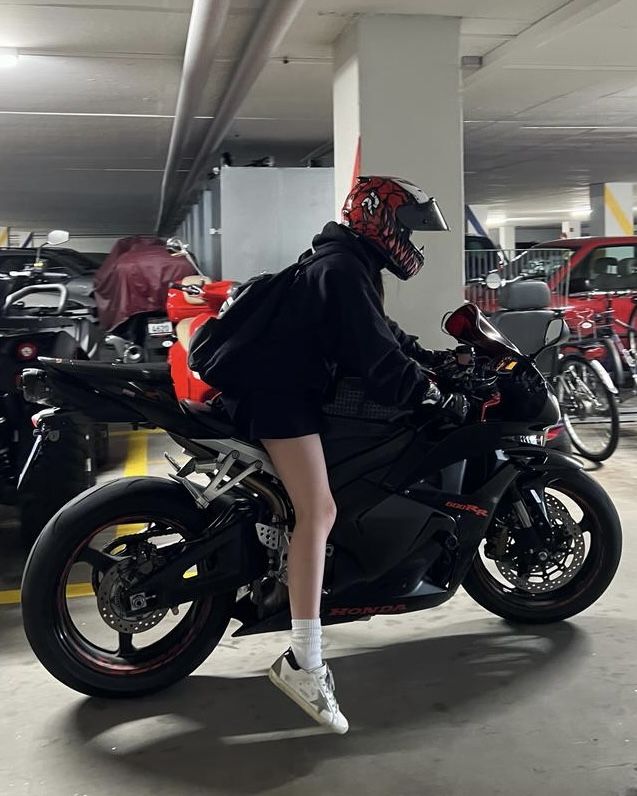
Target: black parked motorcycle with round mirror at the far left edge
42,314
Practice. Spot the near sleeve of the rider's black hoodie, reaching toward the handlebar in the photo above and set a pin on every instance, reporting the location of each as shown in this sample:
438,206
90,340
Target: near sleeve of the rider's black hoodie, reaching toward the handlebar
364,344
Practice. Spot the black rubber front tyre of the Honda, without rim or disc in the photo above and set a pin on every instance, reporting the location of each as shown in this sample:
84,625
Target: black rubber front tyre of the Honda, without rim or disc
600,520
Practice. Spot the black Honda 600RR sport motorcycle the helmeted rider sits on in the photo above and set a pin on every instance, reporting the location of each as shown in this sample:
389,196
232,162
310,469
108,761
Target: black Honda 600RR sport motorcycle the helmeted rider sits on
424,506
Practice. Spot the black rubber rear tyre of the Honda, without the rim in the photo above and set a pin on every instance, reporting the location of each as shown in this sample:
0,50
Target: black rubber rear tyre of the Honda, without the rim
44,611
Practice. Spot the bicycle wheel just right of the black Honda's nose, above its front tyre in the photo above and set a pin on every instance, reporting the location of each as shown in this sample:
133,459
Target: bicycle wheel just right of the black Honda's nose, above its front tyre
589,409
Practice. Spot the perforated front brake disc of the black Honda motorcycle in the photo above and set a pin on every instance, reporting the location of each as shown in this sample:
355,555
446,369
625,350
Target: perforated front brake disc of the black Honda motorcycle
562,563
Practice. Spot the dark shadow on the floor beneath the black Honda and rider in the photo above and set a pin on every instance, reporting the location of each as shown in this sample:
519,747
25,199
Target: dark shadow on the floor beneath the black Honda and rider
242,736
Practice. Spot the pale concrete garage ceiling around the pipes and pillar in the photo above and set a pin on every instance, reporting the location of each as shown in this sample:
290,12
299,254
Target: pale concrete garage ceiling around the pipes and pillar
85,116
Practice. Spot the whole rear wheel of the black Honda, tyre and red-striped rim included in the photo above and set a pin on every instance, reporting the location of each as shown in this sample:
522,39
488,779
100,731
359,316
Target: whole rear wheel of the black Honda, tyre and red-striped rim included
75,613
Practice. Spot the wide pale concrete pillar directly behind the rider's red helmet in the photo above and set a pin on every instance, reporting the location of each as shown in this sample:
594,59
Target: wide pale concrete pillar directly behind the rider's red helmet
397,111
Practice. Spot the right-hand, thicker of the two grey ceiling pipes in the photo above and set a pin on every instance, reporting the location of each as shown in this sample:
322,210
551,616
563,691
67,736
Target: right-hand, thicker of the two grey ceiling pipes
269,30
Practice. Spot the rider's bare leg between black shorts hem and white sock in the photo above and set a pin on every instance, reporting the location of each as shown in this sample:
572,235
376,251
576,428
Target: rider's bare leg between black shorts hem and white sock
300,464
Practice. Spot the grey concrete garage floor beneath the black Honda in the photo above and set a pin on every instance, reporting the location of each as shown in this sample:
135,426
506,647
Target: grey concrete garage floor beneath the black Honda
449,702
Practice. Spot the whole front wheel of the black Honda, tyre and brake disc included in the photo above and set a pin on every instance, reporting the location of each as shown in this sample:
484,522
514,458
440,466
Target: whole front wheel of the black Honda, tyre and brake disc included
571,569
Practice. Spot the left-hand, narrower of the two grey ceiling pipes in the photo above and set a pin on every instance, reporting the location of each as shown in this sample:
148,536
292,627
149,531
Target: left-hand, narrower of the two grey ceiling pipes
207,21
